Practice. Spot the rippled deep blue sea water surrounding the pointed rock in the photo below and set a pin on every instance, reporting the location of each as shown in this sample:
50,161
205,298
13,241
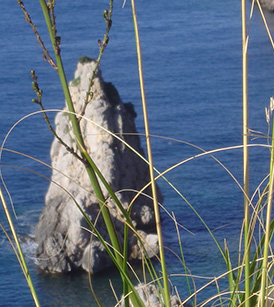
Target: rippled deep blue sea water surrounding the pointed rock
192,69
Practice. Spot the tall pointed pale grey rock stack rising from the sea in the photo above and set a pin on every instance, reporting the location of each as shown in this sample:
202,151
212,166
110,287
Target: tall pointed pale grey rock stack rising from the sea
64,244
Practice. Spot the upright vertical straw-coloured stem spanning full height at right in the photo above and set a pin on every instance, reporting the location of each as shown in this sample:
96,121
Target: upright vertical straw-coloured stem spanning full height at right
245,156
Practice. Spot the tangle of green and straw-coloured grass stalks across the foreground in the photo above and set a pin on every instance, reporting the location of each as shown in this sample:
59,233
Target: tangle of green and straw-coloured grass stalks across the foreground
250,281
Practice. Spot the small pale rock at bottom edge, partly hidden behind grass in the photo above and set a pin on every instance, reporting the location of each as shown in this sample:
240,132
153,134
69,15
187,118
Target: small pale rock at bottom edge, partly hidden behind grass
151,296
